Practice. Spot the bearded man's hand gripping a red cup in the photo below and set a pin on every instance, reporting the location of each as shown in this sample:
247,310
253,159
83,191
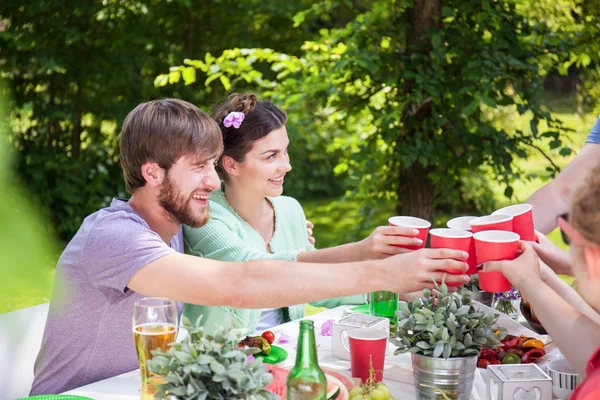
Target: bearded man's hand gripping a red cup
416,270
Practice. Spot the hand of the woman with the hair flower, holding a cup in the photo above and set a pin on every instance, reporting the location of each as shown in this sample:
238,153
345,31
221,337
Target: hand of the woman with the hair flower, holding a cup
384,239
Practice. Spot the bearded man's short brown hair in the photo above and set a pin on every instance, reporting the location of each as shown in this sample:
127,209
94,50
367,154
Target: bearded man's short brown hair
162,131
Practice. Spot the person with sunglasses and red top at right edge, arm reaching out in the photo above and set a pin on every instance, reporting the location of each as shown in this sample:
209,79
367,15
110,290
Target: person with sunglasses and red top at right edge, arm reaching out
571,319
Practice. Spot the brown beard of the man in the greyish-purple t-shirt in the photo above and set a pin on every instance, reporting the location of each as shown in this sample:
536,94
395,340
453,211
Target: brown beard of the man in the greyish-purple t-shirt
177,208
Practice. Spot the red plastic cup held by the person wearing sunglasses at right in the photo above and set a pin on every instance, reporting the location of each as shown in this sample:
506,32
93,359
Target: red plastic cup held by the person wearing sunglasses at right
495,246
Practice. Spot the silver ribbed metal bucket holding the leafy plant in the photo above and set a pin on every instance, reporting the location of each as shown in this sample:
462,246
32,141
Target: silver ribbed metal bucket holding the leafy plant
452,377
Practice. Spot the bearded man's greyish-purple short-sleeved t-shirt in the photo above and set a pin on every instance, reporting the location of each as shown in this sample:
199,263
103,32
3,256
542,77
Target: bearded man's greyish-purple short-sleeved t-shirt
88,335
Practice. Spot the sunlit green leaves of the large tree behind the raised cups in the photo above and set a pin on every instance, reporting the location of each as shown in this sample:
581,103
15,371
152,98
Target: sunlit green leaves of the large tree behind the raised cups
388,103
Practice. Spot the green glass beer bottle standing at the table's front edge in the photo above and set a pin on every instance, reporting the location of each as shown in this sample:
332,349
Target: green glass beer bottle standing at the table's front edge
306,380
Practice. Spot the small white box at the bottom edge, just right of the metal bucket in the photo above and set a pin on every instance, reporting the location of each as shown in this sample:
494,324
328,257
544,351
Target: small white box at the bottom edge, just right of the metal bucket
518,382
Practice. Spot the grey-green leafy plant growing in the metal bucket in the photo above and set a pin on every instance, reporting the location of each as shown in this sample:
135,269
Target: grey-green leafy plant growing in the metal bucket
444,324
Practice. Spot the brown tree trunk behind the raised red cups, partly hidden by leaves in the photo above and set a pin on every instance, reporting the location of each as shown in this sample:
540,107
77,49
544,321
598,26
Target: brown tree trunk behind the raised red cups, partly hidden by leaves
416,193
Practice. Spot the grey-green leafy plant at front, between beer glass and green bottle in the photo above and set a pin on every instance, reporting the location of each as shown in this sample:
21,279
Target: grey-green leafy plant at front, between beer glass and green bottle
210,367
